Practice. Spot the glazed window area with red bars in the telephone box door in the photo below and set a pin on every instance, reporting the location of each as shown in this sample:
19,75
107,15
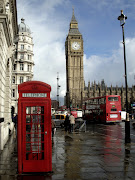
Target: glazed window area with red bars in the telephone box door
35,133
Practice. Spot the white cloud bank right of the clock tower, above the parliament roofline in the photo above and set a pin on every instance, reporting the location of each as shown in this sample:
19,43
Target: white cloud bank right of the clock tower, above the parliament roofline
111,68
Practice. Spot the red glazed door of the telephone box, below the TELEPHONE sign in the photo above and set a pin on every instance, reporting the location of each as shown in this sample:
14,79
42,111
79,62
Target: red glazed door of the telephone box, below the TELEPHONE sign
35,136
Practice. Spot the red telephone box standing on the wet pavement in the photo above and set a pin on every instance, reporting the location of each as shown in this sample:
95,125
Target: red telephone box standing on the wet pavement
34,127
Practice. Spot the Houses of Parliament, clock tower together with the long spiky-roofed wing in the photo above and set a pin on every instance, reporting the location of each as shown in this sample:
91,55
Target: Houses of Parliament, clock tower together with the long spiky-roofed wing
76,90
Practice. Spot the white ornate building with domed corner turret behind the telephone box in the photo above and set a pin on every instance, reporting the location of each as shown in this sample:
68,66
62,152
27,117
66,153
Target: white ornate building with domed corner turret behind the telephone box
23,63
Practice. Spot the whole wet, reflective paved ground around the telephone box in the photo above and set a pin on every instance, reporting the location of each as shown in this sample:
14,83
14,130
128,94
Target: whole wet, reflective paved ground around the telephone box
98,153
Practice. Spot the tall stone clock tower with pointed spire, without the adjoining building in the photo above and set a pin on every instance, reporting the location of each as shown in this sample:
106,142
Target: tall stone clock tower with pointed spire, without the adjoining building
74,65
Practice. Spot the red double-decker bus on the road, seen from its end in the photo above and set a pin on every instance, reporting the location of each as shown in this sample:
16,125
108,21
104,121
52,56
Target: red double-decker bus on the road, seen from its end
103,109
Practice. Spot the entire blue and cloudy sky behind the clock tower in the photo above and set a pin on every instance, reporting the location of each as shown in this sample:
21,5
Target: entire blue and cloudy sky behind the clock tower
102,34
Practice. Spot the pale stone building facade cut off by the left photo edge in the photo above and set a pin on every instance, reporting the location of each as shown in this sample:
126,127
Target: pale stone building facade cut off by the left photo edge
8,33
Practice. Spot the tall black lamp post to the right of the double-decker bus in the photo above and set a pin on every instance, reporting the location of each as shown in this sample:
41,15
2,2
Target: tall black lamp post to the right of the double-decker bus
122,19
